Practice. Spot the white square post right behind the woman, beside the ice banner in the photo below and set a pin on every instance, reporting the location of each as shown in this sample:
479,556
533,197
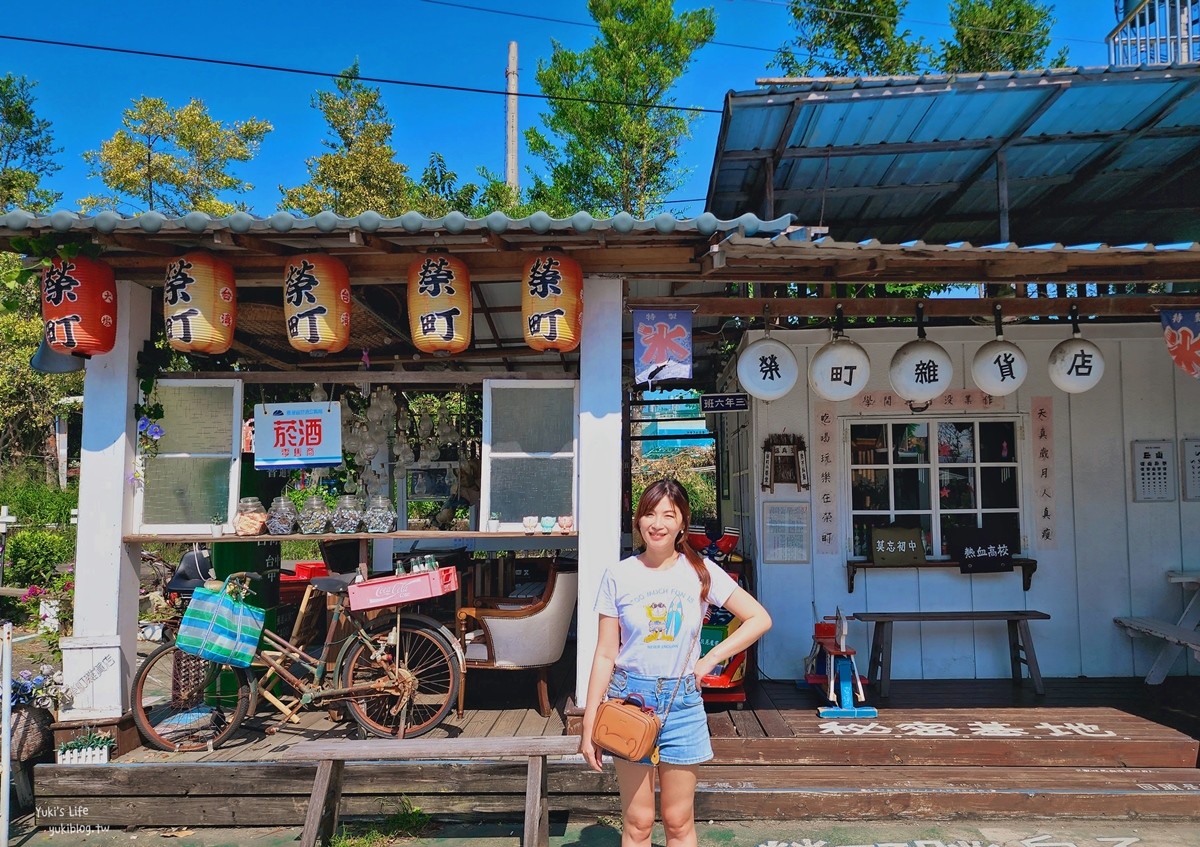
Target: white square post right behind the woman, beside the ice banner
598,497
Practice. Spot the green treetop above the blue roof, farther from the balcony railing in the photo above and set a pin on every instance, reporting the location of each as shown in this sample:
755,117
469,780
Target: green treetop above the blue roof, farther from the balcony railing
851,39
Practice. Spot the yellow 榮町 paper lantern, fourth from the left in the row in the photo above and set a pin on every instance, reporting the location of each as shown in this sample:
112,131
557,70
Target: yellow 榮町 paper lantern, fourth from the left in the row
440,305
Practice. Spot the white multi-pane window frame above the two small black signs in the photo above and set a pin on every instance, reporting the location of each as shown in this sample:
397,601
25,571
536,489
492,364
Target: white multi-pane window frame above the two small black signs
935,510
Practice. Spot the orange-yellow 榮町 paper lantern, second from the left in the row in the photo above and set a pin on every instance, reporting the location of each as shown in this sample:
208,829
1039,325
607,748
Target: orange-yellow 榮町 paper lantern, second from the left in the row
200,304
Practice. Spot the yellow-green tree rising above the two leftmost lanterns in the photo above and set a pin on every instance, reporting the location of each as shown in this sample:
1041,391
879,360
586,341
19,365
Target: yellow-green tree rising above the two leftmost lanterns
173,161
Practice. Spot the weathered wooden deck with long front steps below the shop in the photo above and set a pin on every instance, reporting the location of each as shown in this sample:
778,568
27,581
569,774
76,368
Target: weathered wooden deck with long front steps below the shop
939,749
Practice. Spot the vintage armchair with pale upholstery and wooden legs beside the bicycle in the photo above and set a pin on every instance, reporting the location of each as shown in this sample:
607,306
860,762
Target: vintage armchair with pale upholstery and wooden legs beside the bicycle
529,638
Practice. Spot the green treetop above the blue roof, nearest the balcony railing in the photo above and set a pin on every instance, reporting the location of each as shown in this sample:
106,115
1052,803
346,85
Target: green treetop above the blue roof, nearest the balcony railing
999,35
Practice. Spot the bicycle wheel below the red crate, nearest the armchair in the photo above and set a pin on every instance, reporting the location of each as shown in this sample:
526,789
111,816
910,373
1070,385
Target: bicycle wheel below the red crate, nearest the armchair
427,687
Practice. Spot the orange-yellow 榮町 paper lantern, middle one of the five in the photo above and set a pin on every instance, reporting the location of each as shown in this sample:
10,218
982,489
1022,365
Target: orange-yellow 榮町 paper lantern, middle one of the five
317,304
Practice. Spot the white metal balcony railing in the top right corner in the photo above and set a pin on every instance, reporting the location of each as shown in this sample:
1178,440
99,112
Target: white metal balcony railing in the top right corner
1156,33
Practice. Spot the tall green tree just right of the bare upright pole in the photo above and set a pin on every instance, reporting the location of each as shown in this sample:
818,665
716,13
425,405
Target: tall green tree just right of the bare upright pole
617,152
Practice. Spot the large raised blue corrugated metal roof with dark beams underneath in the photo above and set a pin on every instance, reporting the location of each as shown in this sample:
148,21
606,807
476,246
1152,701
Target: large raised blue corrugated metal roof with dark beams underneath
915,158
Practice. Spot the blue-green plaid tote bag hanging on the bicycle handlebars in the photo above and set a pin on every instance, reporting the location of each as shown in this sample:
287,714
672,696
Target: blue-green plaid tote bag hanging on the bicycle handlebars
220,628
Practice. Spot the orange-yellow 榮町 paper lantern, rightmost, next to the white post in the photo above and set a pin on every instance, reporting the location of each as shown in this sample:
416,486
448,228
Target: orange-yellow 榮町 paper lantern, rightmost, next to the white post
553,303
